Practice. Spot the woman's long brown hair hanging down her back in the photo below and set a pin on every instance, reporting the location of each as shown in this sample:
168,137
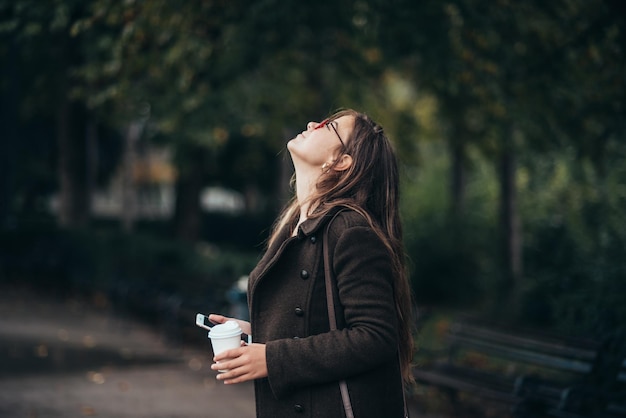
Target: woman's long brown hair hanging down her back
370,187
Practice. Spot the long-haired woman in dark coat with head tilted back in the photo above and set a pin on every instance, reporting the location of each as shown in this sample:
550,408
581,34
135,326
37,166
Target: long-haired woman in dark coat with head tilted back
344,166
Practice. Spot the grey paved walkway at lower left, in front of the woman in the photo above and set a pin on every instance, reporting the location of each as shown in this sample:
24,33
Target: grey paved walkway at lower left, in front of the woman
64,357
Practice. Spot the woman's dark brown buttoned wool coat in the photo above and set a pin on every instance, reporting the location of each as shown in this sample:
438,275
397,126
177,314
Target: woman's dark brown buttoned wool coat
288,312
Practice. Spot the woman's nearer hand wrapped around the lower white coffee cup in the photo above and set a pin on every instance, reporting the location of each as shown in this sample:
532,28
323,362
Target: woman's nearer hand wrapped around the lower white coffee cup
242,364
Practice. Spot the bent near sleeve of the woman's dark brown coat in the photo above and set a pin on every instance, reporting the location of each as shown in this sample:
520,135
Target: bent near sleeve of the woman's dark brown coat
364,279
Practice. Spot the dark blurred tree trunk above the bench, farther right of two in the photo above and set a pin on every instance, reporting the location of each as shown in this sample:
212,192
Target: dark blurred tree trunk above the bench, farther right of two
510,227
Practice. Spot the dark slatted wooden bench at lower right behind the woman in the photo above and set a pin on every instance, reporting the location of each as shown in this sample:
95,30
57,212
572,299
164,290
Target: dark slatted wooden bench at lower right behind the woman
533,373
